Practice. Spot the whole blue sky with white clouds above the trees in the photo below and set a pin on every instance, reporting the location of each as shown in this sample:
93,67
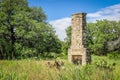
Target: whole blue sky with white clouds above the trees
59,11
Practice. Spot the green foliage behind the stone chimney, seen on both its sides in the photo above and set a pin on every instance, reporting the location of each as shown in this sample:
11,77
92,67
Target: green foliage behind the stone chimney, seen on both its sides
102,36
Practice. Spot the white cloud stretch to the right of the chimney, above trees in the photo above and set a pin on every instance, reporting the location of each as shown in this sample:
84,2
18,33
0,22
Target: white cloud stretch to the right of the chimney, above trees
110,13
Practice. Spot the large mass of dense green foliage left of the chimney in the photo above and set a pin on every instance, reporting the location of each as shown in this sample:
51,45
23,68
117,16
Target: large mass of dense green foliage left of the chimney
24,32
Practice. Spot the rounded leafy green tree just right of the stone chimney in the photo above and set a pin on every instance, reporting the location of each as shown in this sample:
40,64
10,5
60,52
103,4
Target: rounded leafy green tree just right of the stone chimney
100,33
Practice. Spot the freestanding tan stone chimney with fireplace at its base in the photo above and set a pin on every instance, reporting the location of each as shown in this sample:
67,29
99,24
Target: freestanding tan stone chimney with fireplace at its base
78,52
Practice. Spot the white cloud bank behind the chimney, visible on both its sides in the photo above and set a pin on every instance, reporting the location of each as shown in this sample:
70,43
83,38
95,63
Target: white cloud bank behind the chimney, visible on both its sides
110,13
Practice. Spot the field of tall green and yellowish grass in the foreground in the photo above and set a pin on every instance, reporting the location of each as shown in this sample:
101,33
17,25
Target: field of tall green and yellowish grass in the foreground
101,69
